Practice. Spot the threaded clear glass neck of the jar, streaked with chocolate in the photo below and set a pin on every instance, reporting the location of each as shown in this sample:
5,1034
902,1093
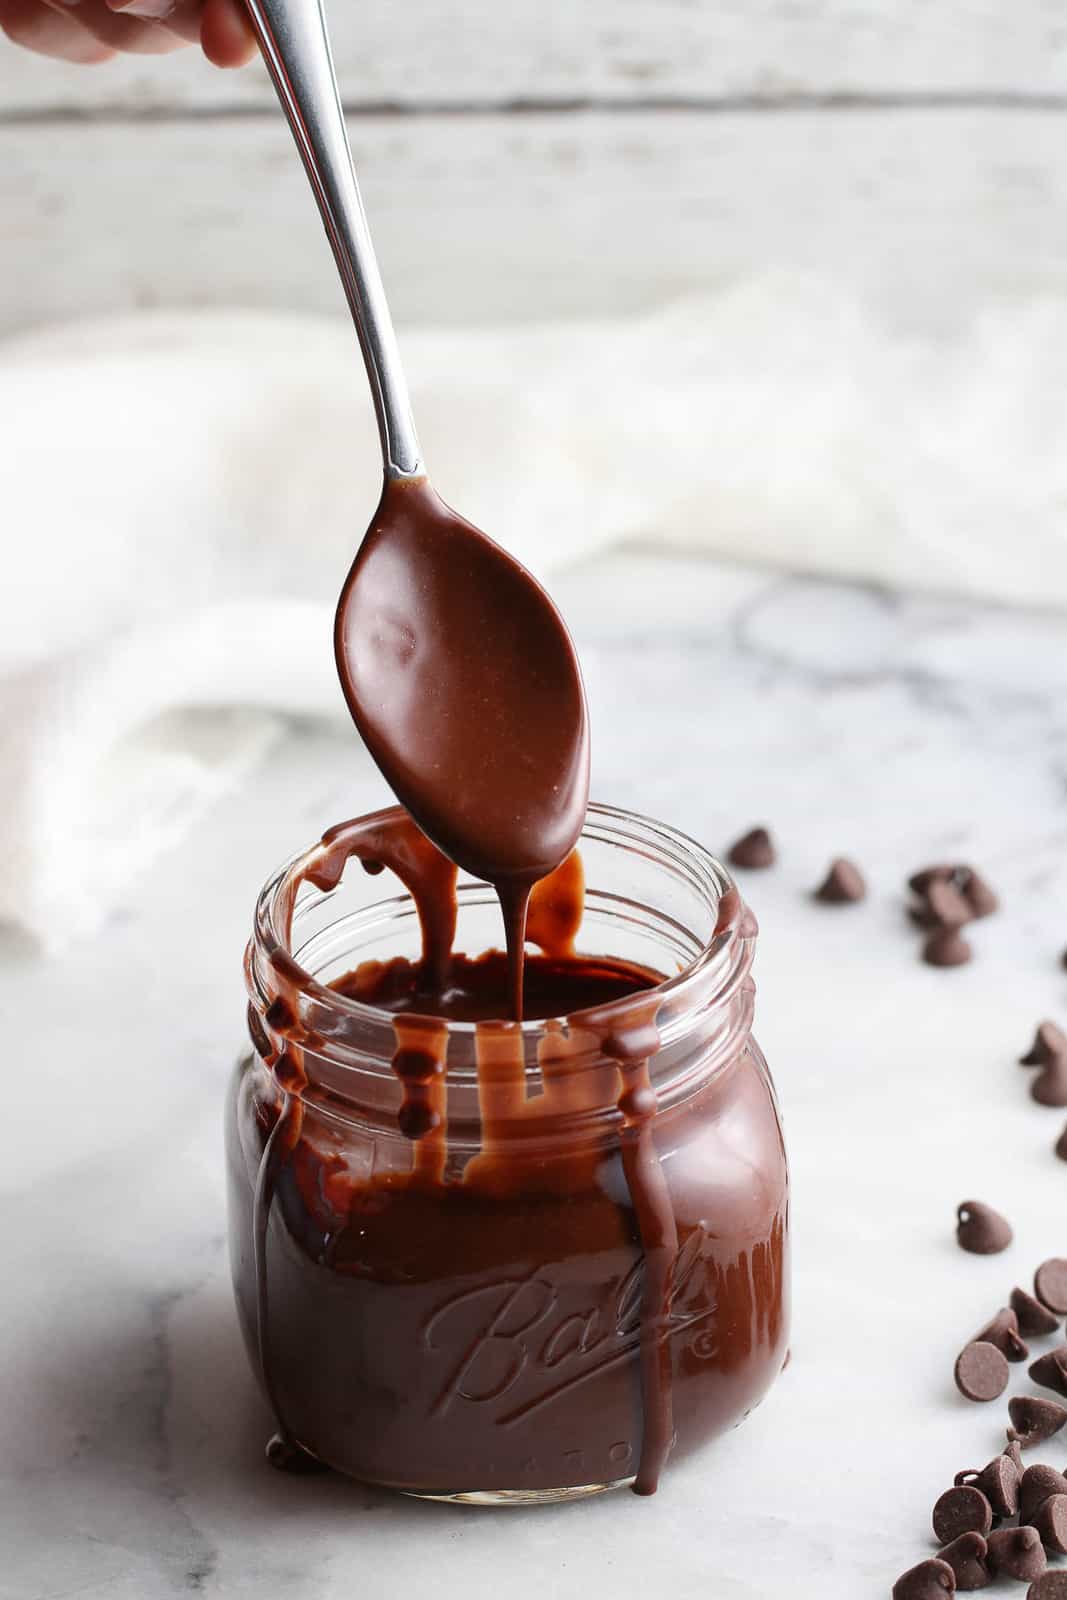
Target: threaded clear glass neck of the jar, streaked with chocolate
562,1073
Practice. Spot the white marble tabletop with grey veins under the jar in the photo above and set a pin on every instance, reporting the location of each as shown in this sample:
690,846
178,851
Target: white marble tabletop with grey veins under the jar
895,730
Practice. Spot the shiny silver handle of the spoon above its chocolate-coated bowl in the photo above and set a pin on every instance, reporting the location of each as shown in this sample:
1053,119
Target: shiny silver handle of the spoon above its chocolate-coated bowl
295,44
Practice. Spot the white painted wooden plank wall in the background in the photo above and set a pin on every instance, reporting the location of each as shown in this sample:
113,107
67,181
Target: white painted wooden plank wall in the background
567,158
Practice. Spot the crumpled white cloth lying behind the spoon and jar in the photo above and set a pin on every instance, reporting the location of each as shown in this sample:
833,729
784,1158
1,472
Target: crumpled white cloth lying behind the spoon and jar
183,495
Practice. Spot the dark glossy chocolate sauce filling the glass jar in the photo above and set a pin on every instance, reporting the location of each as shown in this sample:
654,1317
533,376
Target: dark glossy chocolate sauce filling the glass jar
522,1321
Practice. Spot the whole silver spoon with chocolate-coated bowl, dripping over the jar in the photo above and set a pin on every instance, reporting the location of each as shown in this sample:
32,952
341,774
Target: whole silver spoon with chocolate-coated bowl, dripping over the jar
457,666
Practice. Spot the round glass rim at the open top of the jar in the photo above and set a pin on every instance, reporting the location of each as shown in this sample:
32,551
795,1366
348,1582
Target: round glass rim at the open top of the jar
706,980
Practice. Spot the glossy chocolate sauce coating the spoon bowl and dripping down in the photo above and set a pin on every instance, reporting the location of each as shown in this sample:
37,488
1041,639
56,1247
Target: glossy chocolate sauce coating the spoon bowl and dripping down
465,684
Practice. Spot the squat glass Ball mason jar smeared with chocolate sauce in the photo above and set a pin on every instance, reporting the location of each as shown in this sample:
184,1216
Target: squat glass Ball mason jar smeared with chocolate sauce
553,1286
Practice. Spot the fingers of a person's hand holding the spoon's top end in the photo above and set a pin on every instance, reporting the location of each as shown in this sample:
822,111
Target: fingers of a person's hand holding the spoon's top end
100,30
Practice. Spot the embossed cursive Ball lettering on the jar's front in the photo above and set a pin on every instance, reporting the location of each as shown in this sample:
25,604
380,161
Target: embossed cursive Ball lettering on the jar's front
521,1345
